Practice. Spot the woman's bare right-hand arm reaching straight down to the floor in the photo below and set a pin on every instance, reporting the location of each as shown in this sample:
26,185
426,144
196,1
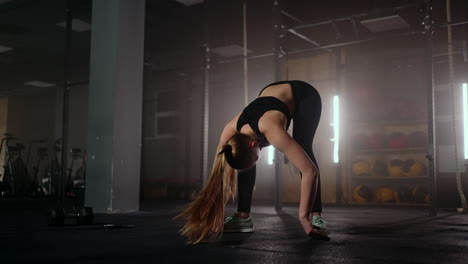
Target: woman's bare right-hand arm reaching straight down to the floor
281,140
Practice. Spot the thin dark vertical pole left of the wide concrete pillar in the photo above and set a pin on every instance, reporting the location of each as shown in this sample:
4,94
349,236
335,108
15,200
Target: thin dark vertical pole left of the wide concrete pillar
65,110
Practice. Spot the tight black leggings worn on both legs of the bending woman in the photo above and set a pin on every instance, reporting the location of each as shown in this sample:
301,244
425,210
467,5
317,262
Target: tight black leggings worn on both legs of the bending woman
306,117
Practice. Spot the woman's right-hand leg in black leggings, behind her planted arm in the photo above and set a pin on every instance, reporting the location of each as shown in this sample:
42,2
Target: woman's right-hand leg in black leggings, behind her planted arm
306,120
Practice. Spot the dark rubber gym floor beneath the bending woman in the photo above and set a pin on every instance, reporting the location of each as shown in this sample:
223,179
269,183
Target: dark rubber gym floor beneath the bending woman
359,235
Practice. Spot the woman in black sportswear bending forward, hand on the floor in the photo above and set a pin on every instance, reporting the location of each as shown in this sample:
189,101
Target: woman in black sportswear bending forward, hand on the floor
263,122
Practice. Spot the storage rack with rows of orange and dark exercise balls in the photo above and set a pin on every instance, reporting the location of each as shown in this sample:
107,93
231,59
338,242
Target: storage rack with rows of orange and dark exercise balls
388,164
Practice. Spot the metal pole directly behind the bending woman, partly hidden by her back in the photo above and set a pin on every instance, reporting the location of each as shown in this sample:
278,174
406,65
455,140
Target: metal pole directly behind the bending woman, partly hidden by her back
277,68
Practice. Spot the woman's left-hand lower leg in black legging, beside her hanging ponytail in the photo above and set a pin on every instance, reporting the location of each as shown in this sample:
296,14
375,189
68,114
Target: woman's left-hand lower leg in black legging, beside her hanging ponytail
245,185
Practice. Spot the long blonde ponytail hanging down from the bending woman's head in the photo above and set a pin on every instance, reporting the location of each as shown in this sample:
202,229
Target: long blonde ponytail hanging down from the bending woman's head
205,215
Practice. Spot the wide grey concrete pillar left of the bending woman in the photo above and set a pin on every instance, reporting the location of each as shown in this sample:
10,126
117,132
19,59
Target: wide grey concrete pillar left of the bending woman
115,105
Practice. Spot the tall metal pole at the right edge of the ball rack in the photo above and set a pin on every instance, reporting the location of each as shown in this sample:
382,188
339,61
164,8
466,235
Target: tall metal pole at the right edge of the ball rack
431,147
